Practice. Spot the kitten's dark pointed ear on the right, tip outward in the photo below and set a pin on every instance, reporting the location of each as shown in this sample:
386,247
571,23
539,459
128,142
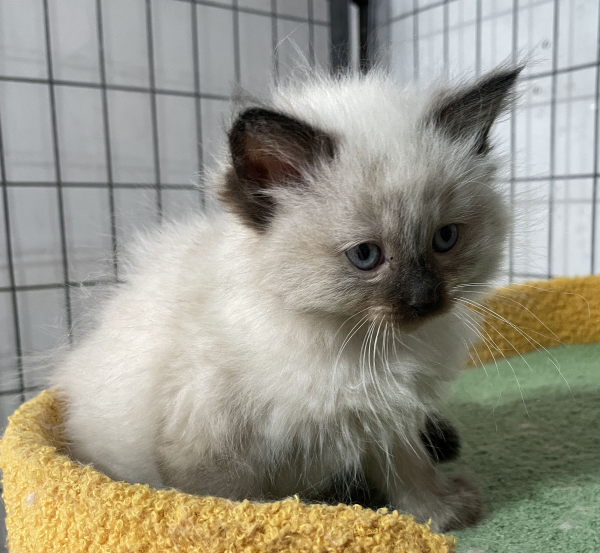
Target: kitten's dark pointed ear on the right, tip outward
468,113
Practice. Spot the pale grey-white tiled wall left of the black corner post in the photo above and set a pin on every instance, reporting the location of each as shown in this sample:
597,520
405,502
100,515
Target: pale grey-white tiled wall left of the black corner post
101,143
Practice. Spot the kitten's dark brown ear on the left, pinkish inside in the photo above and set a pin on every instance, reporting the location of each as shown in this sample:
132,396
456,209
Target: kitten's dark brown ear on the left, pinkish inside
269,149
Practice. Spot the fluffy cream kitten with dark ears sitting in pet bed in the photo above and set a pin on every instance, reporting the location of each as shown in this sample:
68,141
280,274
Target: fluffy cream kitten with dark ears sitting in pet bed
299,336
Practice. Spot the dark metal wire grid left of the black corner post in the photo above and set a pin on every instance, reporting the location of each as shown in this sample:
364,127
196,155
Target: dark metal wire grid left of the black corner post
59,184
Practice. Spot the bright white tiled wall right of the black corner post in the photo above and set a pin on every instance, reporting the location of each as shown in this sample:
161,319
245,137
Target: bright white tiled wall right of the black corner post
555,128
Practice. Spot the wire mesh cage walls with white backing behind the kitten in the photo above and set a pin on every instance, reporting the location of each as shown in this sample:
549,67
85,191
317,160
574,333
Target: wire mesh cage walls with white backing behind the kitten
109,109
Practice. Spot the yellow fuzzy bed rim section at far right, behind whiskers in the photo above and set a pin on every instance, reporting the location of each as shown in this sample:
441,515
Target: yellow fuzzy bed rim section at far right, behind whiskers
524,317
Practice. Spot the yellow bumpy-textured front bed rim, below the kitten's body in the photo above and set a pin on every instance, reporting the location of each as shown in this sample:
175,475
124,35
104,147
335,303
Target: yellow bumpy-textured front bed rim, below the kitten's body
56,505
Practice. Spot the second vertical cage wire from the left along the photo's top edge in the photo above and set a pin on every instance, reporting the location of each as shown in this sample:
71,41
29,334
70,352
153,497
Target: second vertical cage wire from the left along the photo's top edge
107,144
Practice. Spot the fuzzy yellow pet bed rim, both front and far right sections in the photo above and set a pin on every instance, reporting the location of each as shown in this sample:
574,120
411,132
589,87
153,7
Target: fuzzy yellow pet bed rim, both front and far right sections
55,504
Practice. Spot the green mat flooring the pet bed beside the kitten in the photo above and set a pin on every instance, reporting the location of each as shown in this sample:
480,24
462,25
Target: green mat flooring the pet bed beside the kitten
534,451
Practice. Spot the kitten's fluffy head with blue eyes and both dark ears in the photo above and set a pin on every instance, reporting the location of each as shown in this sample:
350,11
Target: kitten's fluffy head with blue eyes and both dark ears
365,198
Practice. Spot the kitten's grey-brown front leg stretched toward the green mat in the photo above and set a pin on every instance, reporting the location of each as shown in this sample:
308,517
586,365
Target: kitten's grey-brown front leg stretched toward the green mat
412,484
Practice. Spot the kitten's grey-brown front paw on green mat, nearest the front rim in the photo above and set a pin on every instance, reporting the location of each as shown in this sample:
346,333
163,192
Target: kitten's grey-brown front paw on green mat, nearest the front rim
464,507
